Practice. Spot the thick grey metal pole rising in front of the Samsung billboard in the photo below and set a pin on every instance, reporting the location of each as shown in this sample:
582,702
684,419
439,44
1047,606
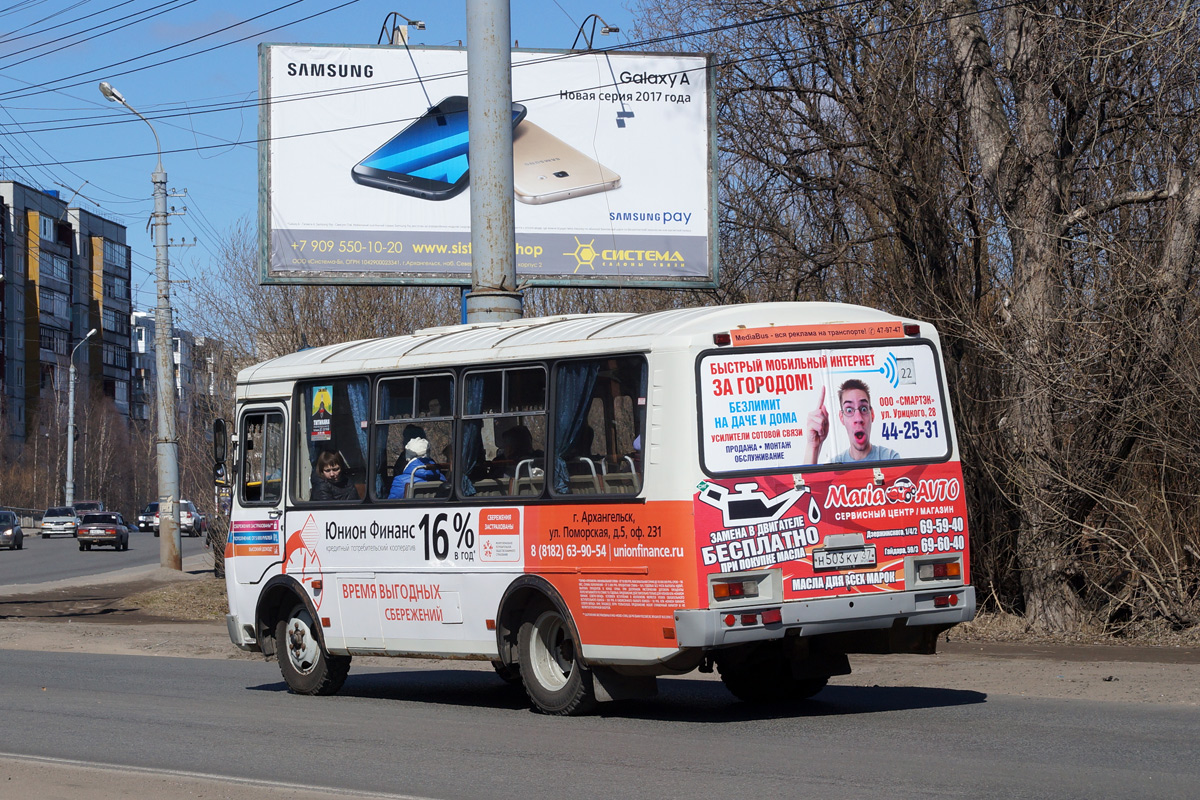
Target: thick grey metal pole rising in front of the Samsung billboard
494,240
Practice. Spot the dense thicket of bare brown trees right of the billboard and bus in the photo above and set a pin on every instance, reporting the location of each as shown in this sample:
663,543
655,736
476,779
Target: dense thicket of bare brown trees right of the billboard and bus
1027,181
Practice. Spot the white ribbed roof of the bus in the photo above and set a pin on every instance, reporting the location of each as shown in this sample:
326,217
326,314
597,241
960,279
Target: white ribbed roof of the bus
532,338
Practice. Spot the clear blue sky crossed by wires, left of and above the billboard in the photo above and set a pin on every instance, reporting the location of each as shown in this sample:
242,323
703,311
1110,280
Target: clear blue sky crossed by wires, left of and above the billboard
191,67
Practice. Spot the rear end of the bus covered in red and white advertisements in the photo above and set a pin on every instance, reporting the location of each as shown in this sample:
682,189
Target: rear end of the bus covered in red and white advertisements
831,515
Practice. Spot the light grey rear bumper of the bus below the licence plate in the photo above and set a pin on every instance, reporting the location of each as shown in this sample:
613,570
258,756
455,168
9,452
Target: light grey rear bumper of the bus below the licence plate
711,629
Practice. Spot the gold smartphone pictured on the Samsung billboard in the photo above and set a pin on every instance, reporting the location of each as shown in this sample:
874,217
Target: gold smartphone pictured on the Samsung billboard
547,170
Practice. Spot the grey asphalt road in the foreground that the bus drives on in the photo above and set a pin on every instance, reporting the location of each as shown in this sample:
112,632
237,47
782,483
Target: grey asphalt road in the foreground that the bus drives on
454,731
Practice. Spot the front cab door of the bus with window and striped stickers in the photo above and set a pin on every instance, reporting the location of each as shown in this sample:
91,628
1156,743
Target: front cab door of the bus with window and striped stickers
256,534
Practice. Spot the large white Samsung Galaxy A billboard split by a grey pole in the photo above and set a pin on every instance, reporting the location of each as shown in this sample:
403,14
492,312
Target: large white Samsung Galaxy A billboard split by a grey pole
364,175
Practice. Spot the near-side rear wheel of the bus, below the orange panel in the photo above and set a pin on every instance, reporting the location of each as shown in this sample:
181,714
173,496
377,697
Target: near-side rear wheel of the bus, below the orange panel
555,679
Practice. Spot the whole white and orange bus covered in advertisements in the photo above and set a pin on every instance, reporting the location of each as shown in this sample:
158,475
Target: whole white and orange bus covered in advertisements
590,502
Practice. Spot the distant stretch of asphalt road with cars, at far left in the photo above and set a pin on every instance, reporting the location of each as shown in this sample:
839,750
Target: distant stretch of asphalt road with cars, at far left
59,558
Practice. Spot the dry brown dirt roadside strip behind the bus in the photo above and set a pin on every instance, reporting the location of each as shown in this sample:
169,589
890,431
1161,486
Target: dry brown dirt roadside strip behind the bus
166,613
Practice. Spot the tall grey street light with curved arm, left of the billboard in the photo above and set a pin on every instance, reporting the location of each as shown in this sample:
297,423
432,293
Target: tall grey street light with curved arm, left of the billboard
170,545
